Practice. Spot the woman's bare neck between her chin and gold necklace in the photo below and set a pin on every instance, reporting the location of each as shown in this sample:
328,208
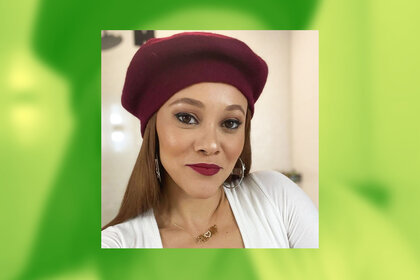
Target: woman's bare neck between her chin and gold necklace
195,214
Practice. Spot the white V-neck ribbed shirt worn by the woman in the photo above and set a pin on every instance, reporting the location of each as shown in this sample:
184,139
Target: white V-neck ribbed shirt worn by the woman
271,212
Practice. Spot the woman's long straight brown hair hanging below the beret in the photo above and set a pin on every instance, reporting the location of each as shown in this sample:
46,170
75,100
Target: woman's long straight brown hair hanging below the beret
143,190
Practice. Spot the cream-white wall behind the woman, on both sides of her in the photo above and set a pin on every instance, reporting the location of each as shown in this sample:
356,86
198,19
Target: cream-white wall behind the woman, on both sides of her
284,131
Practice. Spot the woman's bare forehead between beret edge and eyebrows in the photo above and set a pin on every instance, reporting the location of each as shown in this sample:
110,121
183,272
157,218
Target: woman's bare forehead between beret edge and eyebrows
212,94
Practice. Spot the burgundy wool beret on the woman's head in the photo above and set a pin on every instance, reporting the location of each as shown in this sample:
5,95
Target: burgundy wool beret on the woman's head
164,66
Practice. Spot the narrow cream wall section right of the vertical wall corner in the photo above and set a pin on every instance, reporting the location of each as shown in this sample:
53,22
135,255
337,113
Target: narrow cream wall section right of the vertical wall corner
304,109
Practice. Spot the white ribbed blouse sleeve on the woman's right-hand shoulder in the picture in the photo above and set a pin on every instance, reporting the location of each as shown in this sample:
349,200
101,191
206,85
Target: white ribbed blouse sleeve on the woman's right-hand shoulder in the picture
299,214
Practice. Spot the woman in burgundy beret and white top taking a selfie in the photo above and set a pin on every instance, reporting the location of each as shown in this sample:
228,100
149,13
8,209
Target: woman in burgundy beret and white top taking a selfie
194,94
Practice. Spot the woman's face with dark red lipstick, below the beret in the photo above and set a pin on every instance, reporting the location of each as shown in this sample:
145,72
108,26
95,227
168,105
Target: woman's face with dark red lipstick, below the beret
201,132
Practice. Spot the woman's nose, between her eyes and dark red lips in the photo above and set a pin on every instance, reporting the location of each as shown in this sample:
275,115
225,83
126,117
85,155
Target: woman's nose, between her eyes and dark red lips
207,141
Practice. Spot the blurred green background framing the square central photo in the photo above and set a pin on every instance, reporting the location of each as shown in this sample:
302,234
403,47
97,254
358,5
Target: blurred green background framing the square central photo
50,140
